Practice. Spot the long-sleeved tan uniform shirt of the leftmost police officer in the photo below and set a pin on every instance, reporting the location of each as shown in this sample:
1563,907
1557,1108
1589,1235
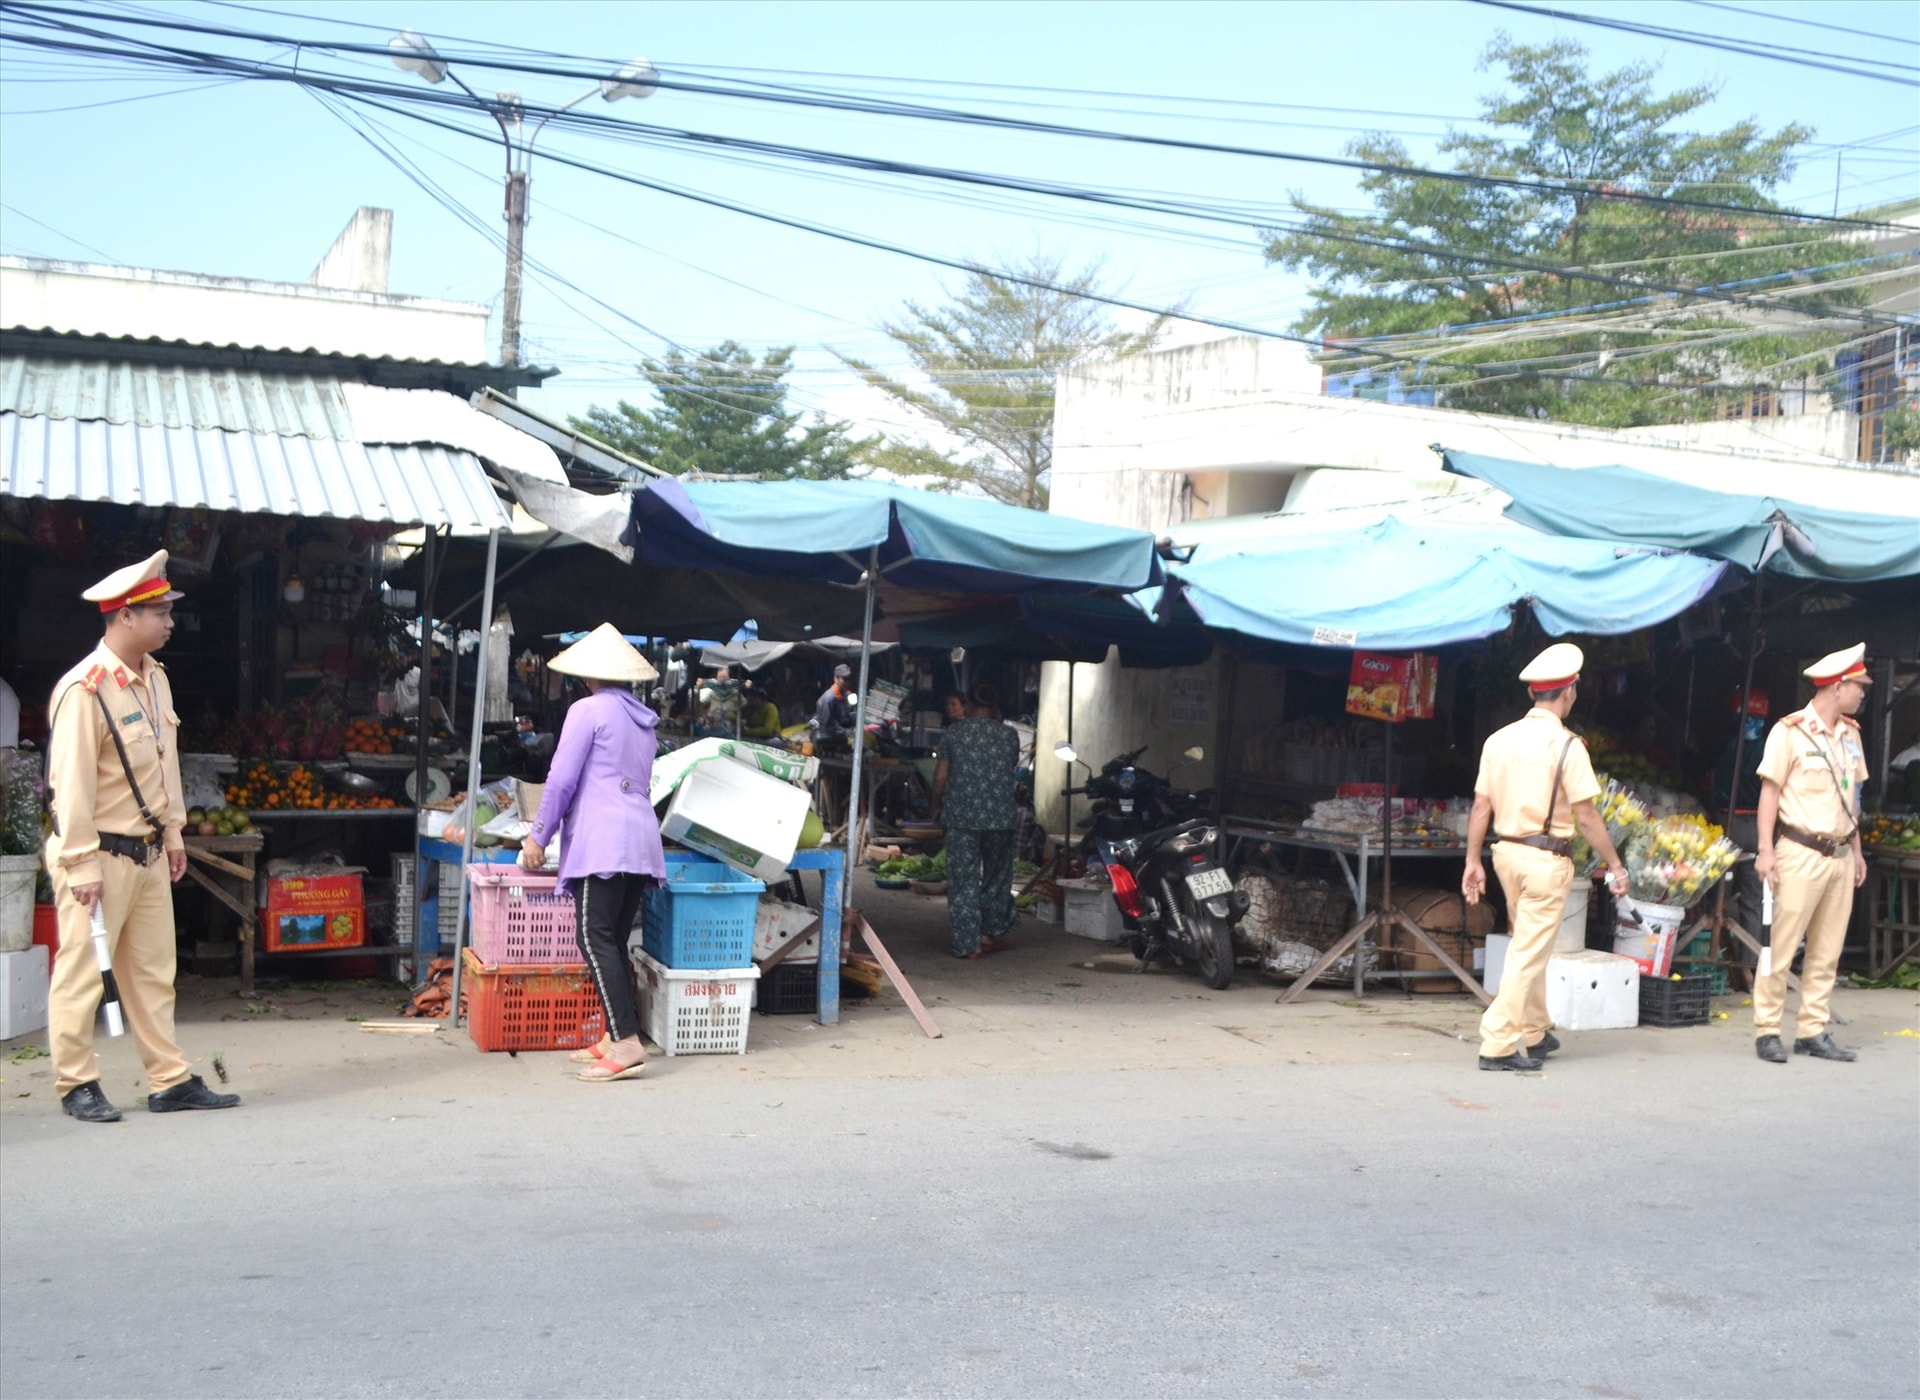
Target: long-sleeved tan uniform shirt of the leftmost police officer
84,769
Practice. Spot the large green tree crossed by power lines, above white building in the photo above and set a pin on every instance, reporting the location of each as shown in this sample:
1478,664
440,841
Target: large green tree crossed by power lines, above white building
1633,356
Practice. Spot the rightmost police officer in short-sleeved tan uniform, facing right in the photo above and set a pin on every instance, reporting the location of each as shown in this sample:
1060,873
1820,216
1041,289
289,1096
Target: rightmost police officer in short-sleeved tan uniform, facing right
1810,821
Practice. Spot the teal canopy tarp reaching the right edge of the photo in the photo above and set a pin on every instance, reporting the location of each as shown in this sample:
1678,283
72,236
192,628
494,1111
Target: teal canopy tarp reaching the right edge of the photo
1752,531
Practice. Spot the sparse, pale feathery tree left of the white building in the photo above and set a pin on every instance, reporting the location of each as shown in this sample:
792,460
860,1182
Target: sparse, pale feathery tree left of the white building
990,358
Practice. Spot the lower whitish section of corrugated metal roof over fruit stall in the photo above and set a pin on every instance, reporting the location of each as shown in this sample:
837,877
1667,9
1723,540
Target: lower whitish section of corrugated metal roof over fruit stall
72,460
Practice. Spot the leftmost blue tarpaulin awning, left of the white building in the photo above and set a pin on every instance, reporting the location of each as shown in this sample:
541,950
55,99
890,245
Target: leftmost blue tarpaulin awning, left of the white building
830,531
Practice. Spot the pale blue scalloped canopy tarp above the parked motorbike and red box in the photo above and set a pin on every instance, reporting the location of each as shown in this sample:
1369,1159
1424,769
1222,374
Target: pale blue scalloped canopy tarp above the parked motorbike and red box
1399,587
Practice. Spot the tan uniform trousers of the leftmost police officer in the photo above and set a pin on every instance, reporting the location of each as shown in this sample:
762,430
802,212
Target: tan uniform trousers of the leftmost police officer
139,913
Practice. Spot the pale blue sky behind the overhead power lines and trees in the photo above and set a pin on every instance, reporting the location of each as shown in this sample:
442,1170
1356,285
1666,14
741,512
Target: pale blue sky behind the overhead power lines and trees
256,180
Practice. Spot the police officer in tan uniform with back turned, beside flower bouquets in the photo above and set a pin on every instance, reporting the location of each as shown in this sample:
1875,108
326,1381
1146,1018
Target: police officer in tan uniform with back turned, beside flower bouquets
1535,784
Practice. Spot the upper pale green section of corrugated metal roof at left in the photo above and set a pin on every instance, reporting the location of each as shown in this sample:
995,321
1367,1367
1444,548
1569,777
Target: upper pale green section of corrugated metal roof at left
174,397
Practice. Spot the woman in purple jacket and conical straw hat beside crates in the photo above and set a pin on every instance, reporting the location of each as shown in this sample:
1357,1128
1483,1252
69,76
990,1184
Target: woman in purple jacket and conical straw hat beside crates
610,840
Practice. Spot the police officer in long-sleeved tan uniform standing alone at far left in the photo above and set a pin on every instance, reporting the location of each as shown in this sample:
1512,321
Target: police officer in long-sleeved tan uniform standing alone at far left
114,779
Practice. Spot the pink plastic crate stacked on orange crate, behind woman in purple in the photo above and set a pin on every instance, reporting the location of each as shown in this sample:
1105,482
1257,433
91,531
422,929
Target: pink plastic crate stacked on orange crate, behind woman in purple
527,988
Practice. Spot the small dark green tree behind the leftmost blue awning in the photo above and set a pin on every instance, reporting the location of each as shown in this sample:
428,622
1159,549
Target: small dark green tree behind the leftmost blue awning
725,414
